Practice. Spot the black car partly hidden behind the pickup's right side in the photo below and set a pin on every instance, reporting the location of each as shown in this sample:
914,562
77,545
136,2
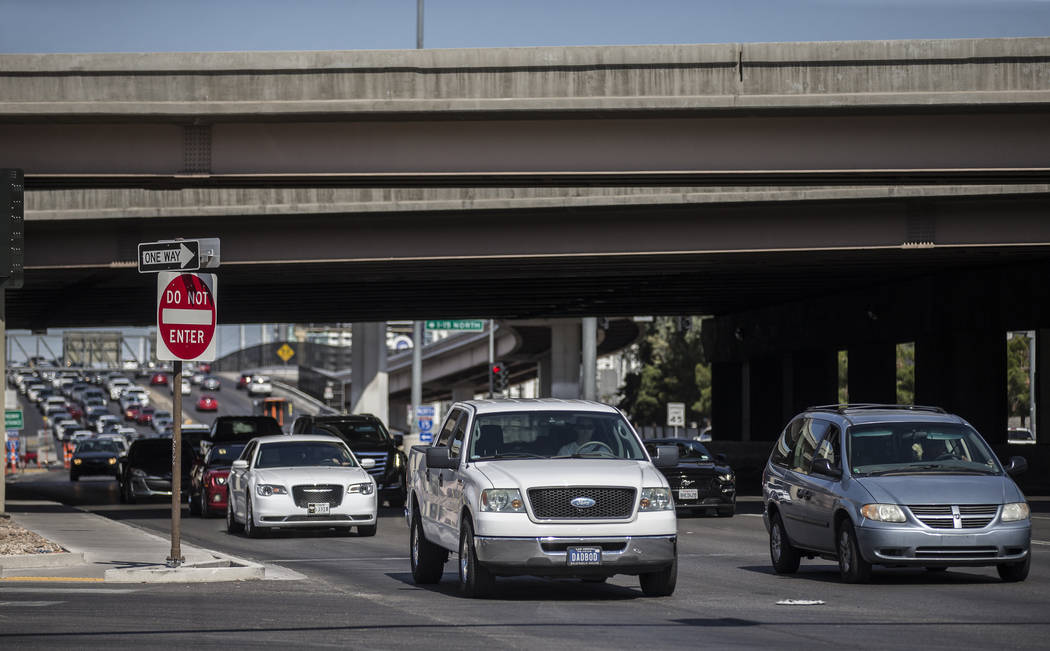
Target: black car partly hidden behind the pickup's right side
701,480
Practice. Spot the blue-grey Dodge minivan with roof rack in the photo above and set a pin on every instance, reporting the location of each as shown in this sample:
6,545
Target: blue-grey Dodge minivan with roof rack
893,486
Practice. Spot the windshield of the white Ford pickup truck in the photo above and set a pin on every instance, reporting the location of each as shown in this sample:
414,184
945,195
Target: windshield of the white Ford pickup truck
554,435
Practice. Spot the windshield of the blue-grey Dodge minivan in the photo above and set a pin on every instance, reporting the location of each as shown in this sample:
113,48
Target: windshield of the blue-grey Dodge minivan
892,449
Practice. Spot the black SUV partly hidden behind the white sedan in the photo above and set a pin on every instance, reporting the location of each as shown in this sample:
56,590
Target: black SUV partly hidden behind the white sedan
368,438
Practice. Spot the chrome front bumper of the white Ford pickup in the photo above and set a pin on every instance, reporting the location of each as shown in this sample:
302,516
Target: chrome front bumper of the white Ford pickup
549,556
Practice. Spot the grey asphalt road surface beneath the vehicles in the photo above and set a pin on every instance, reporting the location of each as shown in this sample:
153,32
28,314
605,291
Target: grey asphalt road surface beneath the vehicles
359,594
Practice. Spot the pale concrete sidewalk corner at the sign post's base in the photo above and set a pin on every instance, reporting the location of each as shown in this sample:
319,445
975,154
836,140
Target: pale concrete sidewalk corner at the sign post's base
103,550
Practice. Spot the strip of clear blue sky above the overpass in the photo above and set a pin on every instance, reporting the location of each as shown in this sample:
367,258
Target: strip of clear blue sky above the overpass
209,26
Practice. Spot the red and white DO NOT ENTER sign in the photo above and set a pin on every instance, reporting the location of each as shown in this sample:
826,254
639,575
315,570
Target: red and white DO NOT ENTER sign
186,317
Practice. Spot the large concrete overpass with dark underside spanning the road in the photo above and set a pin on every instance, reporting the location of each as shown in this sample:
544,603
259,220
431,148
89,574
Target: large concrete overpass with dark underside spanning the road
752,182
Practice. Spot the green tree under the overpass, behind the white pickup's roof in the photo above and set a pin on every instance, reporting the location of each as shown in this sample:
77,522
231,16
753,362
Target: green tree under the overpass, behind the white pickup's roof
673,369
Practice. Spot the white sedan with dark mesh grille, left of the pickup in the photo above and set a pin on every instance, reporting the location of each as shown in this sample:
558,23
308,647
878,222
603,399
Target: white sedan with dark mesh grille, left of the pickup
301,481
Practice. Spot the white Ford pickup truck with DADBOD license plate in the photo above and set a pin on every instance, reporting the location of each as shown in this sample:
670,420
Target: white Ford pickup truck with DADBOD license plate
544,488
